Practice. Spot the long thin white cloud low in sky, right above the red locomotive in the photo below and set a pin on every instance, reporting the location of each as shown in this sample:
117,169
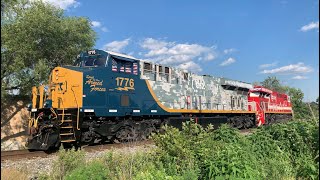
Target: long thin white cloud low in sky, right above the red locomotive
289,69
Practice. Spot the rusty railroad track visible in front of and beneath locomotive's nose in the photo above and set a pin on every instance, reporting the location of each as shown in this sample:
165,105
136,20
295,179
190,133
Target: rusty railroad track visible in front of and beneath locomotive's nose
26,154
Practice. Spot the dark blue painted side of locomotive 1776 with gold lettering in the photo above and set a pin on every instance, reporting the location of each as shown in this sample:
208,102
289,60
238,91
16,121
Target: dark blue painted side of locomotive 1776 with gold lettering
111,93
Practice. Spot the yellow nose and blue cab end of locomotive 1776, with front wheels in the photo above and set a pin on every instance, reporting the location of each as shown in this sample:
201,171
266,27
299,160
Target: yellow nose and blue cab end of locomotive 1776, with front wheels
74,106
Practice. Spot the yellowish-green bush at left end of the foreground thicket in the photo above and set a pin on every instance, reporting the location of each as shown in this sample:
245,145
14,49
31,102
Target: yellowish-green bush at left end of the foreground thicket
178,149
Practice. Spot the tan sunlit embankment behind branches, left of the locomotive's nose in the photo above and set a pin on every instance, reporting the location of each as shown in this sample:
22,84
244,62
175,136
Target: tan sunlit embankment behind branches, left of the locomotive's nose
14,125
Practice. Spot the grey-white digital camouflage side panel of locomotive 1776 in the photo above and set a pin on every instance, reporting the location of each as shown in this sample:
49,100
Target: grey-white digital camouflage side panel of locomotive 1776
179,90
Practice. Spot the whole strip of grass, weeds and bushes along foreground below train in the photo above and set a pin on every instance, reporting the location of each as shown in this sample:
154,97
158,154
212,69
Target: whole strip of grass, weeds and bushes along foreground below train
280,151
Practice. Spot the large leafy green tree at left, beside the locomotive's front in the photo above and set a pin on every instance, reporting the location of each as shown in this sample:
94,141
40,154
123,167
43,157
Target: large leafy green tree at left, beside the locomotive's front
36,38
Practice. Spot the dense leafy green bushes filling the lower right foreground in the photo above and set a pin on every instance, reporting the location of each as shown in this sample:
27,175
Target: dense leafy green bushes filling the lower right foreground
279,151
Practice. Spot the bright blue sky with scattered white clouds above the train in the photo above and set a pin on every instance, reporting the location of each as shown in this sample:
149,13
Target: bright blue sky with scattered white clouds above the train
242,40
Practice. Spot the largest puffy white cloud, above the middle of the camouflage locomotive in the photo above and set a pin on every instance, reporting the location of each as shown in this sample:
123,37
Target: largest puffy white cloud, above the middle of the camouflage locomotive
181,55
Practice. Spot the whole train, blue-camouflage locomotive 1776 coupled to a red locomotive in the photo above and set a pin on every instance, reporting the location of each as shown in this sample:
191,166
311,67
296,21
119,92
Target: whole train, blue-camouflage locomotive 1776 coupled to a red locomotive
107,96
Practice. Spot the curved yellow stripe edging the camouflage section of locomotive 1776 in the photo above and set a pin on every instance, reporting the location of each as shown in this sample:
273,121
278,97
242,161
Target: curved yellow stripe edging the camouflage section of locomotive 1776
189,110
